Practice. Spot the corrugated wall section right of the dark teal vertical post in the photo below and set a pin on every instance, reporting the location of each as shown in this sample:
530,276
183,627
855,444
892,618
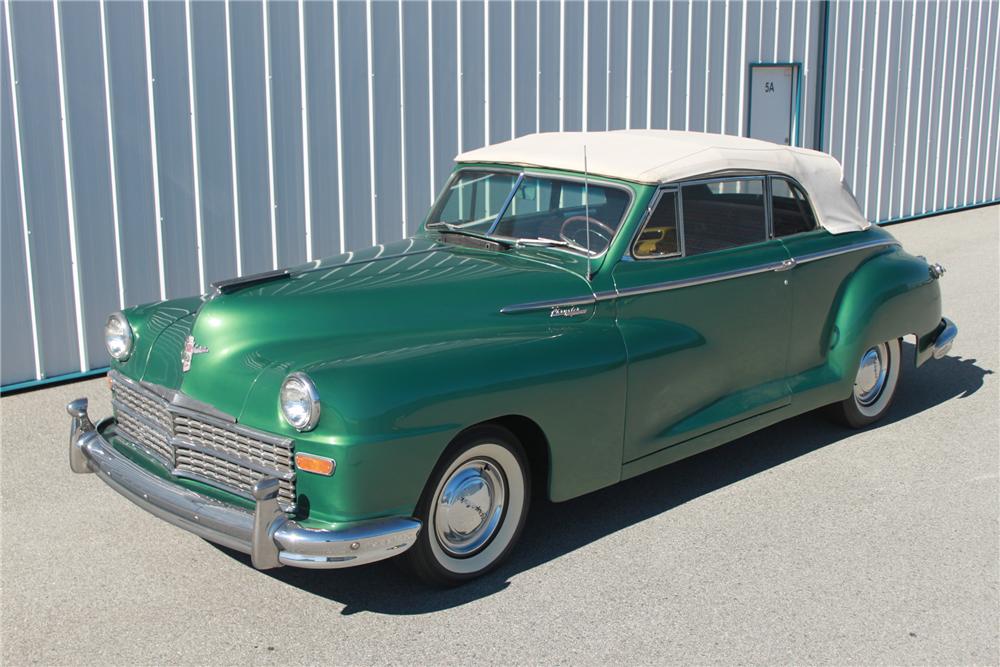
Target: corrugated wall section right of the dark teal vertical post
908,84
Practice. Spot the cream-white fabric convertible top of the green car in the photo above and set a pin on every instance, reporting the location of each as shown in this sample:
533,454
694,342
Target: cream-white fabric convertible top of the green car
663,156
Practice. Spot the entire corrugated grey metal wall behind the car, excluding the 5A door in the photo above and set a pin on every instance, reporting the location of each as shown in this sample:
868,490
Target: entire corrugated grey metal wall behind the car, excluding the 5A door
149,149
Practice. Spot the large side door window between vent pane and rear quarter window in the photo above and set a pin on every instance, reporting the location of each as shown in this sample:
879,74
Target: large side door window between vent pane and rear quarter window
723,214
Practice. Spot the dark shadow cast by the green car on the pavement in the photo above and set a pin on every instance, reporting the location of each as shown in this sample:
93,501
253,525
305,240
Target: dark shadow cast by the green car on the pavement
556,529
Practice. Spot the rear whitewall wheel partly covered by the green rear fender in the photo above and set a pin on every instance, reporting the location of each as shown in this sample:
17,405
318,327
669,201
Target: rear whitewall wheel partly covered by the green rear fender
874,386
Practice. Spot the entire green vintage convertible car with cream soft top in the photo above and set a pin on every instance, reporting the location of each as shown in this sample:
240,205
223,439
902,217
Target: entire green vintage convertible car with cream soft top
577,309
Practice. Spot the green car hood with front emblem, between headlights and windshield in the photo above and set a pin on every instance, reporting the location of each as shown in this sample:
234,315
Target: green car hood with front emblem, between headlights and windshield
408,297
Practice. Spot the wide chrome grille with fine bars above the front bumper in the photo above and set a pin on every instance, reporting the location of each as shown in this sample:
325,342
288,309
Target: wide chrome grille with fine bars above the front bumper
200,446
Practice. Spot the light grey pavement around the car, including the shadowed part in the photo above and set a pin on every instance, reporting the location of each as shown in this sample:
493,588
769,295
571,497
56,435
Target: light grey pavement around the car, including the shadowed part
805,543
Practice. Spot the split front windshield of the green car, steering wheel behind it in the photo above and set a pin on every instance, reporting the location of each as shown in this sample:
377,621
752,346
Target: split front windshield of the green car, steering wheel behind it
536,210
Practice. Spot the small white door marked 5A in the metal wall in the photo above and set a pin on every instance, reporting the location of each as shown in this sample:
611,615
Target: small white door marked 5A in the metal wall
772,102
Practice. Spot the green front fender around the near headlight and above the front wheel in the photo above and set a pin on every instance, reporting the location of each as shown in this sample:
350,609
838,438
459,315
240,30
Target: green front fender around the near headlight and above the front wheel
388,414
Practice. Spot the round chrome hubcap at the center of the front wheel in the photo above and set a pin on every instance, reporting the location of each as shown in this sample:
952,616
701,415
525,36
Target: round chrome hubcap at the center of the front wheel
470,506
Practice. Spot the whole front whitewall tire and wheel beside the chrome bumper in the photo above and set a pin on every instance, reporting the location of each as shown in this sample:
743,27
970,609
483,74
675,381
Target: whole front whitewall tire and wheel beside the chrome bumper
473,508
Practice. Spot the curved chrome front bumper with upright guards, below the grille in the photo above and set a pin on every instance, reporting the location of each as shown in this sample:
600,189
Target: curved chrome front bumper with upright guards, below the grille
267,534
